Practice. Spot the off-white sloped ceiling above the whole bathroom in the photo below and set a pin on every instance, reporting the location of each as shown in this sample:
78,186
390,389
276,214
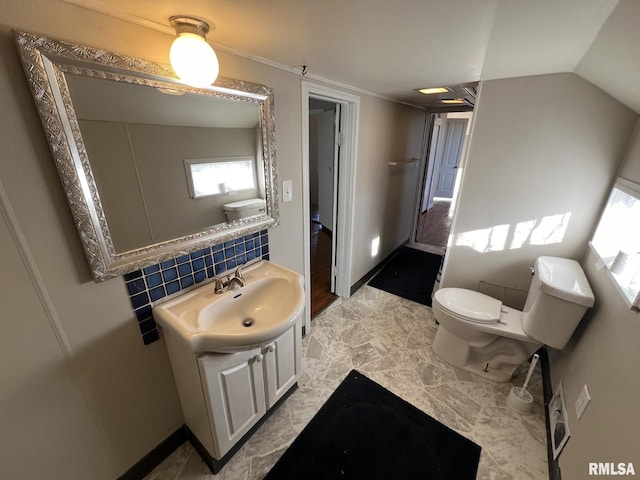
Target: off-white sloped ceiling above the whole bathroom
393,47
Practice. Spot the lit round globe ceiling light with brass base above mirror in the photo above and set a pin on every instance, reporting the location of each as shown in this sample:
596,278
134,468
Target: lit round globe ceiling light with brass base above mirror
192,58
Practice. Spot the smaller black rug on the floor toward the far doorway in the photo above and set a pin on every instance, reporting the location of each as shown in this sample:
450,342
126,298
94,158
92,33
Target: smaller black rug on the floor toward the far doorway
409,274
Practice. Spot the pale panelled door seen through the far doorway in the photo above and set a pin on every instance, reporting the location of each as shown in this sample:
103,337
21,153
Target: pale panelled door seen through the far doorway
448,168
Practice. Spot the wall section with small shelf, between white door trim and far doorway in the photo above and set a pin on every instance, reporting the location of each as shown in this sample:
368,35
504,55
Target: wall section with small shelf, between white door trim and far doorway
385,195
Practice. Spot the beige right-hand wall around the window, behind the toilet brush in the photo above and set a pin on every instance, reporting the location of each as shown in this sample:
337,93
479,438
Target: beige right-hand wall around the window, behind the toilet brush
603,354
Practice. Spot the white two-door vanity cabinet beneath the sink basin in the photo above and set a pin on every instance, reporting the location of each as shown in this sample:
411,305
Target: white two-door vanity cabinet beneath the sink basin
234,391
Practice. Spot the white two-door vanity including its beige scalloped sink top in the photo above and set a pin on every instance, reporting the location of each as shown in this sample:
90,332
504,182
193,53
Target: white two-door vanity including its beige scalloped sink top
235,356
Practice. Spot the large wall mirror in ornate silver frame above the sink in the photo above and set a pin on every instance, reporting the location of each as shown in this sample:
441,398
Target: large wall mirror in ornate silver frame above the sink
132,144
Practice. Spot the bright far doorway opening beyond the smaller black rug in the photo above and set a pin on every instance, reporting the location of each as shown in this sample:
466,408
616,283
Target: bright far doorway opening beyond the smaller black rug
448,138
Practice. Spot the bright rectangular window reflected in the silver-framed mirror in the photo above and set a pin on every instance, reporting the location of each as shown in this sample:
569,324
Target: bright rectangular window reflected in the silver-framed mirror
216,176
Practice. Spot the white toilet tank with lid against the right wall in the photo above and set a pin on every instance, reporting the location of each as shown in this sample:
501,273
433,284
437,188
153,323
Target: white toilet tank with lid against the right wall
558,299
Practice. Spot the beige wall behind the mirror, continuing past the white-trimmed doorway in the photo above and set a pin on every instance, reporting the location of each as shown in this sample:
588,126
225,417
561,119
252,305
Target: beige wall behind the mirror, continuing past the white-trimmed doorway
80,396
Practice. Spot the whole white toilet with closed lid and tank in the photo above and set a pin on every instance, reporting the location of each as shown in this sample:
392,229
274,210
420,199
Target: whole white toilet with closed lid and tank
479,334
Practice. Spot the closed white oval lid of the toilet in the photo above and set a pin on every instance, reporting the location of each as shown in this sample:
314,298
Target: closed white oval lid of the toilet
469,304
